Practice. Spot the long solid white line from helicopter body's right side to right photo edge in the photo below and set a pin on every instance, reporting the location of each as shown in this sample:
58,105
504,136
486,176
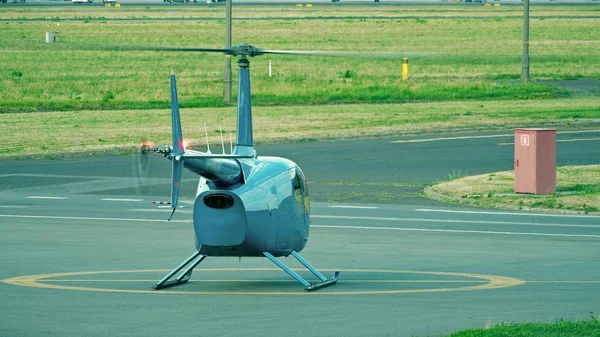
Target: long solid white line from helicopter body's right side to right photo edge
458,221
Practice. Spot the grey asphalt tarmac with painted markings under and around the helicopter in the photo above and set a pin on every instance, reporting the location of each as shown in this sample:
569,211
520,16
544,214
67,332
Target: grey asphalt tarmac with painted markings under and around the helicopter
81,244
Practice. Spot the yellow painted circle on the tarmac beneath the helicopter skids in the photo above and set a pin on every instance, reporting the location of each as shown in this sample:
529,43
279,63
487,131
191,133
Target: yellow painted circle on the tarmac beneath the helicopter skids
481,282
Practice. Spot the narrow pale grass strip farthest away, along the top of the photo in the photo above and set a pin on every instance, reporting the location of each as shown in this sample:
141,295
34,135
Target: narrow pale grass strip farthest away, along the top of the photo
287,11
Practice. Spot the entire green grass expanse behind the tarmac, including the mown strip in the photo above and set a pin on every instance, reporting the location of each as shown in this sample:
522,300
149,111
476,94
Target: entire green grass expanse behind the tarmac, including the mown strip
76,100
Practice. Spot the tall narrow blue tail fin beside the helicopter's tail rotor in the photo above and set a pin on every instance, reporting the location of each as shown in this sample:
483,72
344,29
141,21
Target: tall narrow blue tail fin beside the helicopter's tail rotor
177,146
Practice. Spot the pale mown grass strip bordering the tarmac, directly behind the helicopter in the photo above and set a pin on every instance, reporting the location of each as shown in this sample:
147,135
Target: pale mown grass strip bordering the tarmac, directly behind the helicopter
96,130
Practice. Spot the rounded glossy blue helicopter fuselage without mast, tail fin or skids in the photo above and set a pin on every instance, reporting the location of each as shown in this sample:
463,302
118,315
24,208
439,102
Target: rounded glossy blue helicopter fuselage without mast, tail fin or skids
267,210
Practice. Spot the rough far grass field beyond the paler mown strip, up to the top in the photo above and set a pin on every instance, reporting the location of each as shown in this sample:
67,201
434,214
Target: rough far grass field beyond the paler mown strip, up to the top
474,58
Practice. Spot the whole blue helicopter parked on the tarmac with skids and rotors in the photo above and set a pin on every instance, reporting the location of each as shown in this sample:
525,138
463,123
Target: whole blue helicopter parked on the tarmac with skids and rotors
249,205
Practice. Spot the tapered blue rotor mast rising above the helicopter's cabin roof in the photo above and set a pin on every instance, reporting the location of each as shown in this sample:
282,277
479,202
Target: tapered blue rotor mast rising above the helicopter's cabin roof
244,143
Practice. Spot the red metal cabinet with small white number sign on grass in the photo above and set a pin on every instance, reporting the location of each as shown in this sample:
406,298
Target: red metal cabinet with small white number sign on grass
535,161
